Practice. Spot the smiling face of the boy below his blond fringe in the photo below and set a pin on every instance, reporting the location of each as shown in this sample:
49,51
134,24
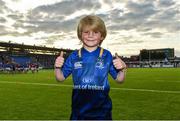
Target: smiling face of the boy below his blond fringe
91,38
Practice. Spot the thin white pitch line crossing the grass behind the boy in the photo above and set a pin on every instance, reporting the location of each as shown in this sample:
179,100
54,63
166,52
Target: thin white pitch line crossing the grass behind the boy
112,88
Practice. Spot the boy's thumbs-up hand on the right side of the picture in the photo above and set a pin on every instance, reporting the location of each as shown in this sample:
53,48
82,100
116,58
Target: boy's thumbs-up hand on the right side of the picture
118,63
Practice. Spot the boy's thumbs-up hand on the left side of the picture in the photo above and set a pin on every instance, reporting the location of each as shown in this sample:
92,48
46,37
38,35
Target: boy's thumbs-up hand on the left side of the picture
59,60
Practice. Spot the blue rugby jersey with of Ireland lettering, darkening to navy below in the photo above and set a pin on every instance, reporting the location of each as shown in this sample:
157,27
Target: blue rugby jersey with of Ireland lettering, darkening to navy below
90,99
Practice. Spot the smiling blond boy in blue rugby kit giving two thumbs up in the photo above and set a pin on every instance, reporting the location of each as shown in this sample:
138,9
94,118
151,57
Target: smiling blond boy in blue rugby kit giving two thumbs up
89,67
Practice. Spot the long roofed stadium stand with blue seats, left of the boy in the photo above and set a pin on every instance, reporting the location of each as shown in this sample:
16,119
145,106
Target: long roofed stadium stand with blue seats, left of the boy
21,58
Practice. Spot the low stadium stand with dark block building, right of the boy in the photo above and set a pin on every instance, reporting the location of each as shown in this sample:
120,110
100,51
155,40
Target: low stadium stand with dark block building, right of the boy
154,58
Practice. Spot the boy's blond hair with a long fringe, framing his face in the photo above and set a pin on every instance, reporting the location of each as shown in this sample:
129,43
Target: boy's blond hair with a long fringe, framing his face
95,23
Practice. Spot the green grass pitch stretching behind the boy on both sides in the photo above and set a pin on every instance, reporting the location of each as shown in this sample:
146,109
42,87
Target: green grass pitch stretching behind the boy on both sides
51,102
